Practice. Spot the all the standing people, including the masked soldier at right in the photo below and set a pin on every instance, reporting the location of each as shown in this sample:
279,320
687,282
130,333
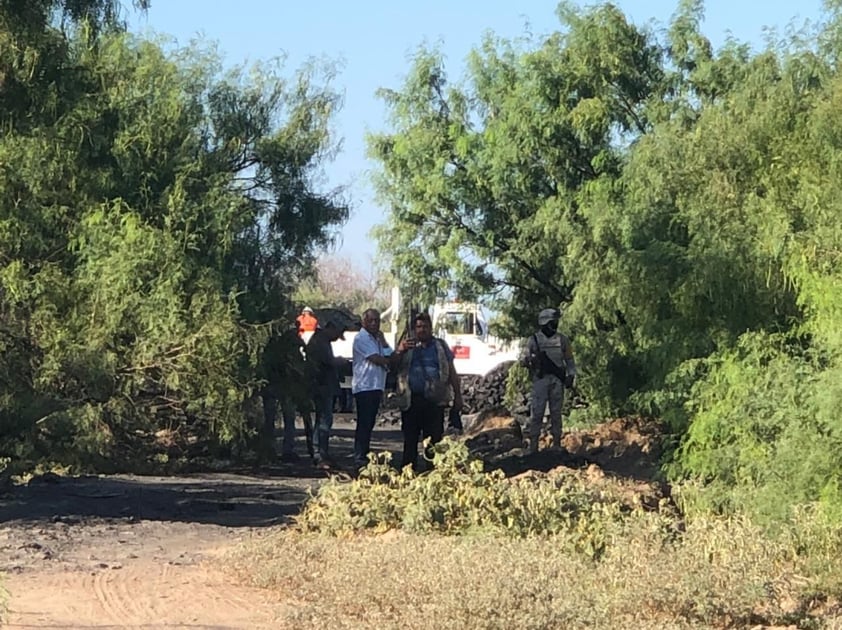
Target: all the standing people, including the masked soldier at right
426,382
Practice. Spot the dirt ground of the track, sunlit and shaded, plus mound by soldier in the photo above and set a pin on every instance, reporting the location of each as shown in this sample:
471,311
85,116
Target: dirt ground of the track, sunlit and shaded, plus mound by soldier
140,552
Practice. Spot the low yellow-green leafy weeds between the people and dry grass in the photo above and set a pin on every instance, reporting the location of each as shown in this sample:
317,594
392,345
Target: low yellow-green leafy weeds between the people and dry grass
458,498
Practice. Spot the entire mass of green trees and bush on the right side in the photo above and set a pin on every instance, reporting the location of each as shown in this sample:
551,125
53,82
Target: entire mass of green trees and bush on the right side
680,203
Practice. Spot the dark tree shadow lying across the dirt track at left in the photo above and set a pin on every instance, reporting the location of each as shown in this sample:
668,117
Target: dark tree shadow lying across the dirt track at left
253,496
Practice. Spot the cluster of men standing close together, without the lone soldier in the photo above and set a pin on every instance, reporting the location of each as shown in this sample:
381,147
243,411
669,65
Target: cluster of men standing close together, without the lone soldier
427,383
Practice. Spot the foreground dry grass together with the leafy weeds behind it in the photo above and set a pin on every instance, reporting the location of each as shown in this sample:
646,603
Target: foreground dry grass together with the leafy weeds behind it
458,548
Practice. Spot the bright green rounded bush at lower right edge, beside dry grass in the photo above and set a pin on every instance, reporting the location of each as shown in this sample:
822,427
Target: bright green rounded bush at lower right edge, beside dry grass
764,433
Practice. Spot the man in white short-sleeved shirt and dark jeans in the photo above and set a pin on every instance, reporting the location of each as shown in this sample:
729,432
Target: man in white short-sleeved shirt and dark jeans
370,364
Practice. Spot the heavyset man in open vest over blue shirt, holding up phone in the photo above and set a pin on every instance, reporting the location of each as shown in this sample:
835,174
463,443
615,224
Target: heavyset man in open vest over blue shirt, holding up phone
426,383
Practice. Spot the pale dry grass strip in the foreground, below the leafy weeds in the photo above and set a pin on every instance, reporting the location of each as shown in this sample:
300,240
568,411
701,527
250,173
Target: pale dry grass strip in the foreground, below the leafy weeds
719,573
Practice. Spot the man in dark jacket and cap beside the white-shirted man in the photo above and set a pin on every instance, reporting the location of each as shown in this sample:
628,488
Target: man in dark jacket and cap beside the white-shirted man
323,368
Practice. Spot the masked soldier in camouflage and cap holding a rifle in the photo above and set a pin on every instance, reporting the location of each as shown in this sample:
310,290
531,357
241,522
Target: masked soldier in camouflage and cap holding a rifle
549,358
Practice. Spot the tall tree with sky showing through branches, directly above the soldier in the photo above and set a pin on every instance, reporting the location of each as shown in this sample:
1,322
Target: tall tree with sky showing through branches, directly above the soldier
494,184
